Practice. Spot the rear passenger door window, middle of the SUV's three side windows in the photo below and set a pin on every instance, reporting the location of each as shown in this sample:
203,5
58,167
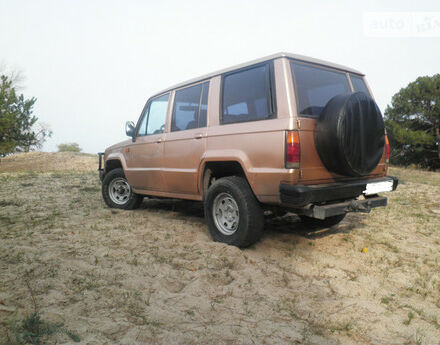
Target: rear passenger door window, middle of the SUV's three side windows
190,107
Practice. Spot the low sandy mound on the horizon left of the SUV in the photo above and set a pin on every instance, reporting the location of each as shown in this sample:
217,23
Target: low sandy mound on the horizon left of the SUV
49,161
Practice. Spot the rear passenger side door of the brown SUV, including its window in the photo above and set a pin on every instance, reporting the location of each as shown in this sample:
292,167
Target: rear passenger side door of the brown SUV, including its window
186,141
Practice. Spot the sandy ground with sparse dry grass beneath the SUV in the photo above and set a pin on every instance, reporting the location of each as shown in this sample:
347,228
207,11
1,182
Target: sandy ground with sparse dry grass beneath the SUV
153,276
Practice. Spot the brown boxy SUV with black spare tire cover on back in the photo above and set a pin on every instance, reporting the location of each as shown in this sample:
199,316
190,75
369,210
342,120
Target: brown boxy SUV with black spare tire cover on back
285,132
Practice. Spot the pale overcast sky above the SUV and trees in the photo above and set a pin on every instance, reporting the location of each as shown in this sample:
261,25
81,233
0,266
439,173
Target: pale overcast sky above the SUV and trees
93,64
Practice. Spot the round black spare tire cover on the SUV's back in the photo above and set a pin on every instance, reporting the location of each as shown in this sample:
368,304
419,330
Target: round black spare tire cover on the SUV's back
350,134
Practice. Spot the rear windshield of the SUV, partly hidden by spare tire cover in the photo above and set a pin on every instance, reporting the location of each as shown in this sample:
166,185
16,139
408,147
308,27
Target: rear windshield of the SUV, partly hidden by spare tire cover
316,86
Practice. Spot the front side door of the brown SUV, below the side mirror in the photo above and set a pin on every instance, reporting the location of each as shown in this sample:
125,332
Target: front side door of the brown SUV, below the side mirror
144,156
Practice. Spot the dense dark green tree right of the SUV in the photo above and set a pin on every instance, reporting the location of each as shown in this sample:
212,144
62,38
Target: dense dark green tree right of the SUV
413,123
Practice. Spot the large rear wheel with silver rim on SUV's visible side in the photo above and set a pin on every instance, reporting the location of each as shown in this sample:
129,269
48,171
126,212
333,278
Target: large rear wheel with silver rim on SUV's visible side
233,214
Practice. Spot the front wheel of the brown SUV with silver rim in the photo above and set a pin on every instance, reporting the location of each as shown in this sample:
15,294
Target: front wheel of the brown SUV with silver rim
122,198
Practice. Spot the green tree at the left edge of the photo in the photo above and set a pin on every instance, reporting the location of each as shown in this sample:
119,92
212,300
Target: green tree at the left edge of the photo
19,130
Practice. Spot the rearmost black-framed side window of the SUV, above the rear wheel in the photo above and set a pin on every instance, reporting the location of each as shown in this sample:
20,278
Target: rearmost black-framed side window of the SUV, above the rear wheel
247,95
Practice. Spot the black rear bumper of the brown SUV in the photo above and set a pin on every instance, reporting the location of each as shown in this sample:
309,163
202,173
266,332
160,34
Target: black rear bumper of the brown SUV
302,195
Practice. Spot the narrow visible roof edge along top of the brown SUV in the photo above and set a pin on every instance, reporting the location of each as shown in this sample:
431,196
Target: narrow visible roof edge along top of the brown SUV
297,57
